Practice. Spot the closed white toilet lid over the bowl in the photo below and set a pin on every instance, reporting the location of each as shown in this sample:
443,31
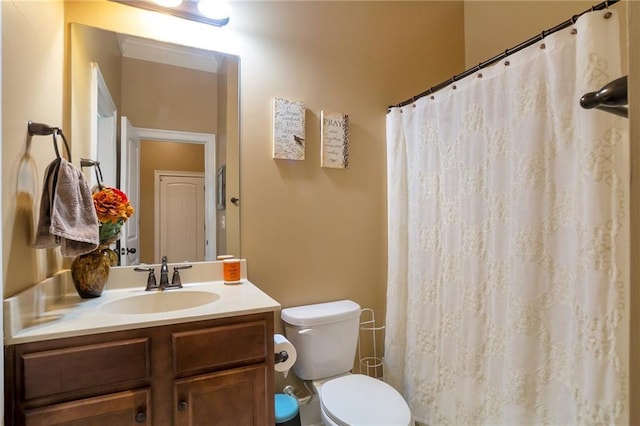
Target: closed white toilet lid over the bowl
357,399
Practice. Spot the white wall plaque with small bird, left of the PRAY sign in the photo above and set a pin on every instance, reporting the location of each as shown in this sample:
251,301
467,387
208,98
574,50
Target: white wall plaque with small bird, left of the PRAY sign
288,129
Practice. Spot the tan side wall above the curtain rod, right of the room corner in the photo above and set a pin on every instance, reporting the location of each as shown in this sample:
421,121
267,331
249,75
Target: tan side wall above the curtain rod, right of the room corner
491,27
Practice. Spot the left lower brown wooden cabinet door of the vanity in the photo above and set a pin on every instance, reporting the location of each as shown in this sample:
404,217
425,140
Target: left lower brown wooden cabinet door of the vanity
119,409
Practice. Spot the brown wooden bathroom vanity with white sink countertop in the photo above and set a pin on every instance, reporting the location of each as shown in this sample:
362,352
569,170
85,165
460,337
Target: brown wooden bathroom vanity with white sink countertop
79,361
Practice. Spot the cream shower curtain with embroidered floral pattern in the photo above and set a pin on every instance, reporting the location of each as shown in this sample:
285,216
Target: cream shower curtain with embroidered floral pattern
508,241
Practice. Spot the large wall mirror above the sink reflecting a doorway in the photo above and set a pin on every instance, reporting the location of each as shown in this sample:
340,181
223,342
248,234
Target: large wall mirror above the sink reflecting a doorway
163,122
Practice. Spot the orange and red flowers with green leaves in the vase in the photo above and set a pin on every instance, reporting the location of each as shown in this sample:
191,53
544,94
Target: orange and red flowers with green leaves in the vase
113,210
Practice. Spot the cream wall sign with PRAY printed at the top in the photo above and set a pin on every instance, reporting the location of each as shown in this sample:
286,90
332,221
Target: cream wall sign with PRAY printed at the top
335,140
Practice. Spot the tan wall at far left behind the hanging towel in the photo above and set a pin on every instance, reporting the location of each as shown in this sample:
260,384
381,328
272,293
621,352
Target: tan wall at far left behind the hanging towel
32,89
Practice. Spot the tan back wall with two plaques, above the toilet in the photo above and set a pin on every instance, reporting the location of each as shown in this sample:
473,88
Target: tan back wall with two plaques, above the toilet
312,234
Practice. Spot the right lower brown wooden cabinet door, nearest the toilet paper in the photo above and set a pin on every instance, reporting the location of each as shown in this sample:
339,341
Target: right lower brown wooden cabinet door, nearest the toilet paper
233,397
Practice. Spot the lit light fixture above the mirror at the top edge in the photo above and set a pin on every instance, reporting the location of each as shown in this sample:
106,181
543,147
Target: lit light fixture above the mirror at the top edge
212,12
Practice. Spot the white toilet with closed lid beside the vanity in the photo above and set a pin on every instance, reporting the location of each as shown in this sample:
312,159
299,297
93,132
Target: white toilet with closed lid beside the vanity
325,336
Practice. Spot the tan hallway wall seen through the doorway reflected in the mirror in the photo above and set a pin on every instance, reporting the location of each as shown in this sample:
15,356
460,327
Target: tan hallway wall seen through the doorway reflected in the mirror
184,157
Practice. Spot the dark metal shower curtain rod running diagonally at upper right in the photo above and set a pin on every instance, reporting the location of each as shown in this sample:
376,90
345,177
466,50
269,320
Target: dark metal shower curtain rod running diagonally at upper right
508,52
